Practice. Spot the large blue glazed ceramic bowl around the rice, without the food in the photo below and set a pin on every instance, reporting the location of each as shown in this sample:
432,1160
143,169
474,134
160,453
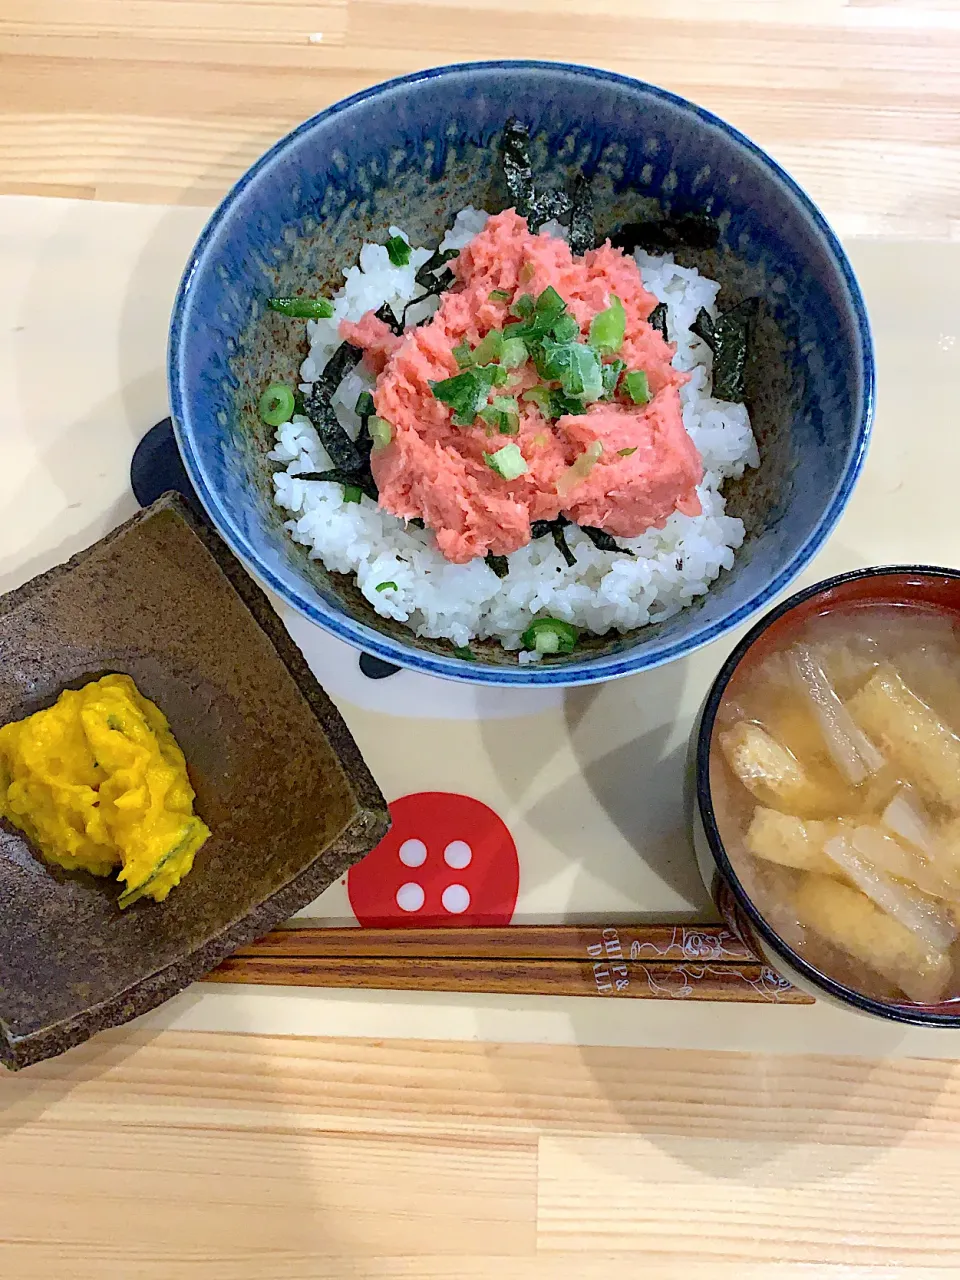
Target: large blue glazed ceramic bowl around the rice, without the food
415,152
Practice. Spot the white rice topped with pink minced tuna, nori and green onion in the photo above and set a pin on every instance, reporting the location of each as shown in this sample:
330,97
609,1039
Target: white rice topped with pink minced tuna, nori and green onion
534,487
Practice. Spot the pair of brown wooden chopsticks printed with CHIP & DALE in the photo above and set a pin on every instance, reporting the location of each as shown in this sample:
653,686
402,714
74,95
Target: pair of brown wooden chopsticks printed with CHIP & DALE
639,962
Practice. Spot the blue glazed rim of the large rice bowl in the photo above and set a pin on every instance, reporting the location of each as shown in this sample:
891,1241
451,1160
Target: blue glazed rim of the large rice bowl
586,671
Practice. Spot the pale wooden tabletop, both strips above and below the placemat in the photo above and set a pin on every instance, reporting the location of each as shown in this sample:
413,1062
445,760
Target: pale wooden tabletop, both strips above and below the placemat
167,1156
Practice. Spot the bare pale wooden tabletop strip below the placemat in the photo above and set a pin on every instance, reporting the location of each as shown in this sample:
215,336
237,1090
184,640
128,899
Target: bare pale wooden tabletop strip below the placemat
237,1158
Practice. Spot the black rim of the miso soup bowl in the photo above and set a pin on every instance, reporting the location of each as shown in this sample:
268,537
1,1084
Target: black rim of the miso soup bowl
917,1016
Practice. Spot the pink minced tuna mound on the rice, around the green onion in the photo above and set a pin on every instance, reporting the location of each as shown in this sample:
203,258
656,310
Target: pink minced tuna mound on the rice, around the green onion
646,468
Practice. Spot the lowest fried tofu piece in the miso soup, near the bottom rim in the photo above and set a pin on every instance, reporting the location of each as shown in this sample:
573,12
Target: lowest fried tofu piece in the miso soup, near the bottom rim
849,920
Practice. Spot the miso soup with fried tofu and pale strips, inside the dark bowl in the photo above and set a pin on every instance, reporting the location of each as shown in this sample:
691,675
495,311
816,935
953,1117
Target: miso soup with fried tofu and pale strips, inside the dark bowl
835,774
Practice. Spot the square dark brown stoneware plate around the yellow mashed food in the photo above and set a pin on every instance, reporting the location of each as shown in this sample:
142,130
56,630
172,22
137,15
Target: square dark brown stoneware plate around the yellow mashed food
278,778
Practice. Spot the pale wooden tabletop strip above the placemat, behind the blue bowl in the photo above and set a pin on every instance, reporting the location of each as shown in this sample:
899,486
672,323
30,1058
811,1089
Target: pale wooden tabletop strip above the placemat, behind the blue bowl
171,102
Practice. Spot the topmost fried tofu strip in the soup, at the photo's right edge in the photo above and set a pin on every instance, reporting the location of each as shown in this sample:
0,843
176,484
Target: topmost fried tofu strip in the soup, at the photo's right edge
912,737
